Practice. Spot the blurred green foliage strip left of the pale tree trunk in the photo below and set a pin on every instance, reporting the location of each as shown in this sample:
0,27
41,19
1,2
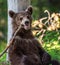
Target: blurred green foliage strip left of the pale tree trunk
3,28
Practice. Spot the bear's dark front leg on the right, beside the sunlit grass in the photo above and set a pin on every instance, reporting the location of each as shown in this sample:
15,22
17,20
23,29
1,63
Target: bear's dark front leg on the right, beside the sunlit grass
44,56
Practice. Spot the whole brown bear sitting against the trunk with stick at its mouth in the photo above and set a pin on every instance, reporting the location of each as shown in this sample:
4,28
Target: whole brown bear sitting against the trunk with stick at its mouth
26,50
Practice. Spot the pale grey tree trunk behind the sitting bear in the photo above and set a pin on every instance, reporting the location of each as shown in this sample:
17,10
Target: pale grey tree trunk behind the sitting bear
16,6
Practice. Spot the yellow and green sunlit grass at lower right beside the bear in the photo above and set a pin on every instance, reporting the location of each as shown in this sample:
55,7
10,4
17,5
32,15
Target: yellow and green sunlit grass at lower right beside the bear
53,49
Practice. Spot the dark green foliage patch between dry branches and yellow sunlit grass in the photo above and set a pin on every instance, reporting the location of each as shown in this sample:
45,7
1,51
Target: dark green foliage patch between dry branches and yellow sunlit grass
51,36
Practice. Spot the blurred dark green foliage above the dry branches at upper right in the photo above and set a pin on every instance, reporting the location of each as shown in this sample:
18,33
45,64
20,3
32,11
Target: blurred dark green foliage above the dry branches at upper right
41,5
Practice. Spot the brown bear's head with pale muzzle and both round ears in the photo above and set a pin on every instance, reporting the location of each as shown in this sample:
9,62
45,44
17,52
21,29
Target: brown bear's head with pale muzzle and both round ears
22,18
